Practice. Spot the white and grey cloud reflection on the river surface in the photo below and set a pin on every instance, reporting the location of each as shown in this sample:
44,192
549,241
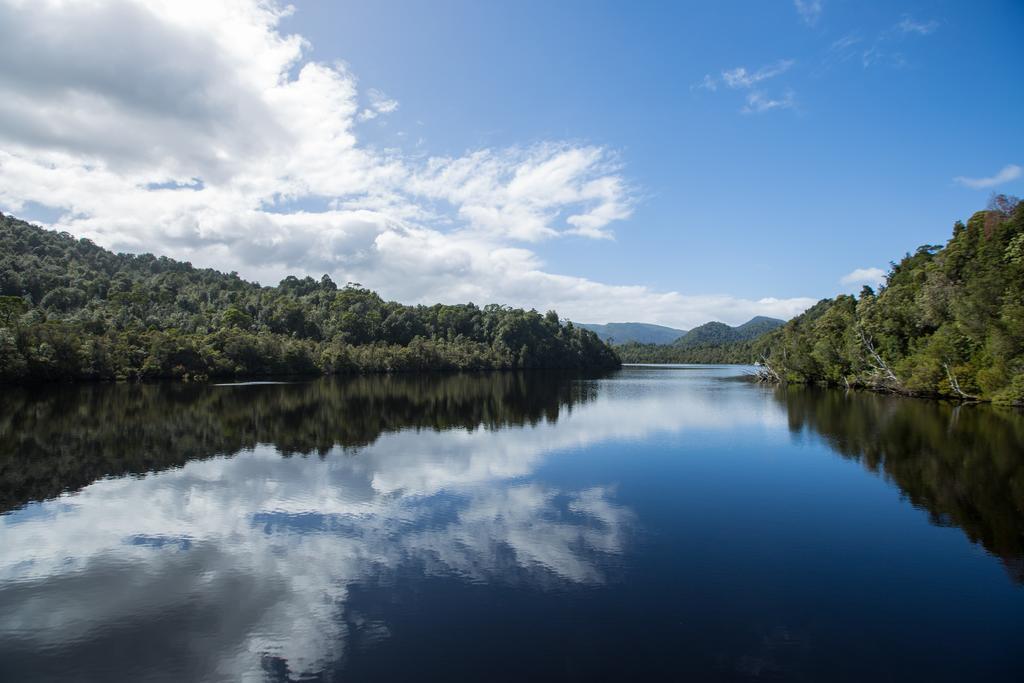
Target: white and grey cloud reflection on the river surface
239,561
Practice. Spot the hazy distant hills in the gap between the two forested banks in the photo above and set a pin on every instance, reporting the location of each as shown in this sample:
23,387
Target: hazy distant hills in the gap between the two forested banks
707,334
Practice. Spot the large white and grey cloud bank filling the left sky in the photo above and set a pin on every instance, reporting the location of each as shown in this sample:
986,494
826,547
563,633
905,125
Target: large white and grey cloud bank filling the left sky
210,136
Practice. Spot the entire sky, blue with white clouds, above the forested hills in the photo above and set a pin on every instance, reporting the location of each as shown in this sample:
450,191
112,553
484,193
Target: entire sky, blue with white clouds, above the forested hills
754,151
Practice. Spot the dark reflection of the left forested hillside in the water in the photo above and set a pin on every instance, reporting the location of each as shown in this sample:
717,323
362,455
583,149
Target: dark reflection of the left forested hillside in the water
58,439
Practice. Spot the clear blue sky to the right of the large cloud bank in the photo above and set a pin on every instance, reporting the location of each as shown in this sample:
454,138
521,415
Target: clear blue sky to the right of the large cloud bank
783,203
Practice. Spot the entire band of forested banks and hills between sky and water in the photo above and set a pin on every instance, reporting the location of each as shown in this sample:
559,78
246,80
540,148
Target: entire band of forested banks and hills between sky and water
949,322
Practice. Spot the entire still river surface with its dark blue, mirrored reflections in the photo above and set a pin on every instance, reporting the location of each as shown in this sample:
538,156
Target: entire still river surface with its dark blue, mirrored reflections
666,524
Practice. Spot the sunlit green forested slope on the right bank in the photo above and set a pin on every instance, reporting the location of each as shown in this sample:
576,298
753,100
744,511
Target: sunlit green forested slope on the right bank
949,322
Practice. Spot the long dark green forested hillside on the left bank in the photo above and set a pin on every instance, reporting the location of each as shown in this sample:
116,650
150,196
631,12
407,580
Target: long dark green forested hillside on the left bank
70,310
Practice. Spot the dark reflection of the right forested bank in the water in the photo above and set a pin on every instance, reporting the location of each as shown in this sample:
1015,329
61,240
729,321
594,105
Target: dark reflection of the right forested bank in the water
963,464
